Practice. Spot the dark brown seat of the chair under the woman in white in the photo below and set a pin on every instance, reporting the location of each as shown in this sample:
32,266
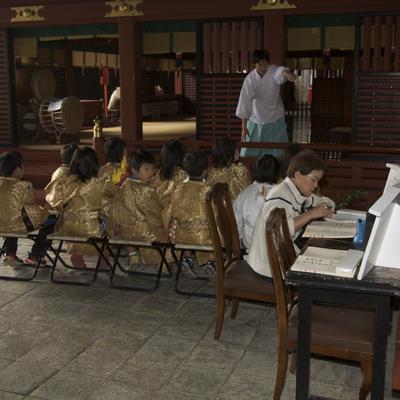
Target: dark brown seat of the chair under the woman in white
239,276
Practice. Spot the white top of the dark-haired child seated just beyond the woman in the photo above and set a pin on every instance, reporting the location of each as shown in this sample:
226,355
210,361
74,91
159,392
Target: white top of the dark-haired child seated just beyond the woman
247,207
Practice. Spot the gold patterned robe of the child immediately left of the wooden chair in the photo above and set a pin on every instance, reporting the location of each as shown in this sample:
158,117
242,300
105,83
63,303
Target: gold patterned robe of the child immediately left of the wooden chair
189,222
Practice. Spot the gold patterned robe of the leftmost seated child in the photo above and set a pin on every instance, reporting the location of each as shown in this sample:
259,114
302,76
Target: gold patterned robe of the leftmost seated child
17,198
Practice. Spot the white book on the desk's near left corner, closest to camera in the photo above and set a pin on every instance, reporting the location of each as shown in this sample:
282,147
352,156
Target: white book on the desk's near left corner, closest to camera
321,260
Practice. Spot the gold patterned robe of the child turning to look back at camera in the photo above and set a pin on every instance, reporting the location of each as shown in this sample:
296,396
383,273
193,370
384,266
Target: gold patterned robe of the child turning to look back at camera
135,213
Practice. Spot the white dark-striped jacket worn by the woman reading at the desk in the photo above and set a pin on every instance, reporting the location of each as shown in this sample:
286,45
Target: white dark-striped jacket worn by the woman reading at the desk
284,195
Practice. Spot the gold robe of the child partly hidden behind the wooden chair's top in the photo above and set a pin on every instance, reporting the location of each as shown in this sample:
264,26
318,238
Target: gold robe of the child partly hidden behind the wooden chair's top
237,176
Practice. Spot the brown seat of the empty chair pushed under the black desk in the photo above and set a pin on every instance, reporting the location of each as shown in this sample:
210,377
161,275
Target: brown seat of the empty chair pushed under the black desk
336,327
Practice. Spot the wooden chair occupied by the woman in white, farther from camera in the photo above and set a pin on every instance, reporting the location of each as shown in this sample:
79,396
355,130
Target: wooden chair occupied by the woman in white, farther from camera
236,280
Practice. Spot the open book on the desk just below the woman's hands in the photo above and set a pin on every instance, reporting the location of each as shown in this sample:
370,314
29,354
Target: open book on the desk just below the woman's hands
331,229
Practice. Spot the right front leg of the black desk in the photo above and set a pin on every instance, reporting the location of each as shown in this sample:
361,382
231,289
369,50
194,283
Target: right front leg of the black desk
382,325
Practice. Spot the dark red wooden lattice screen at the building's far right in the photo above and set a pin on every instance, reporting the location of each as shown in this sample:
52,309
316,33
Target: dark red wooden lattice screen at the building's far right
376,119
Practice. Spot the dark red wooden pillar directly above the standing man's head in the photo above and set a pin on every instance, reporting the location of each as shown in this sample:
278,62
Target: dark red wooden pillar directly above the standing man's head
274,36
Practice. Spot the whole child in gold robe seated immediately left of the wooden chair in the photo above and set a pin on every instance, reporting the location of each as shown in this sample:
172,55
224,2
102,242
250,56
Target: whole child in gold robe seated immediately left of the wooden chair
188,223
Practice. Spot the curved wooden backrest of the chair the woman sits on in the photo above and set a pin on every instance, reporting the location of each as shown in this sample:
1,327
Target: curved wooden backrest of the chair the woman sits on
223,229
